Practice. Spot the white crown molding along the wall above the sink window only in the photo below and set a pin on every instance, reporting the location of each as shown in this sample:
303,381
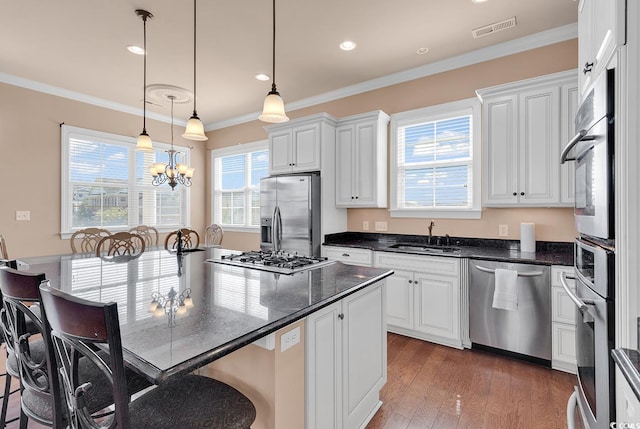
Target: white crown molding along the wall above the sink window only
515,46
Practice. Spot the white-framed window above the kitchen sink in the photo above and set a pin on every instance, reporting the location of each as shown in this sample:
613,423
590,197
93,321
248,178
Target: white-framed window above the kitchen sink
435,161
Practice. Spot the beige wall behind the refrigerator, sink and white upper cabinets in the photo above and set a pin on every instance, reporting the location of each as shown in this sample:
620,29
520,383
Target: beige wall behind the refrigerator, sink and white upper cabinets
552,224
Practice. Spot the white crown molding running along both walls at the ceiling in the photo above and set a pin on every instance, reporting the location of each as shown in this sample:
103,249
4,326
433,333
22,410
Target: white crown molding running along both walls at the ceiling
522,44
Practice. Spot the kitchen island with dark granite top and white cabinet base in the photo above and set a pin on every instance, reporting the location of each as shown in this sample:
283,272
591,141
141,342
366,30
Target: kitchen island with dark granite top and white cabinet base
232,307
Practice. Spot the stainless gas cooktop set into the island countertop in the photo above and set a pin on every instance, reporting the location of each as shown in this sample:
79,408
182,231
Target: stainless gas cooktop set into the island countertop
276,262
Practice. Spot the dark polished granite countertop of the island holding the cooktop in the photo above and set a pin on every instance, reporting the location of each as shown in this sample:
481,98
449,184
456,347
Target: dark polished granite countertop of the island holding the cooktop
233,306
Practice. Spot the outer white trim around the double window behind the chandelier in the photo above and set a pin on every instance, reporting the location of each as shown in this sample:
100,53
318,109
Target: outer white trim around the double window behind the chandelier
69,131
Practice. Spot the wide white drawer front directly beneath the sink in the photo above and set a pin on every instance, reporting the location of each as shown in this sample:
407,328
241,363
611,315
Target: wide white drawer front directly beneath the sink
426,264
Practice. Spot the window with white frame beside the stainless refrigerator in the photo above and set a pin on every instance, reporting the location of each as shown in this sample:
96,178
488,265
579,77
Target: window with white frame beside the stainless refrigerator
236,184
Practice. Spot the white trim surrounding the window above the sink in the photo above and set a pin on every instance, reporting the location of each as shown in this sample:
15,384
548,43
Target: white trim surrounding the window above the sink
441,111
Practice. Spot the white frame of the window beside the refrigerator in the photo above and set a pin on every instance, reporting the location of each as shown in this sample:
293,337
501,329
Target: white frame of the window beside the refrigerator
243,148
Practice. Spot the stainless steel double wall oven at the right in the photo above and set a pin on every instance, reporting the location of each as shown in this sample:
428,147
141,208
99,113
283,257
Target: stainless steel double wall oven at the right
592,150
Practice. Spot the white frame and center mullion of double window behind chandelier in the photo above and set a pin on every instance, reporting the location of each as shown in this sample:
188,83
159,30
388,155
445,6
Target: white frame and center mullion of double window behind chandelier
69,132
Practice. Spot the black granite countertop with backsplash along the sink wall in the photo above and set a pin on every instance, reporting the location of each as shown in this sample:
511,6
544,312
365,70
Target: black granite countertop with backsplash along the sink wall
547,253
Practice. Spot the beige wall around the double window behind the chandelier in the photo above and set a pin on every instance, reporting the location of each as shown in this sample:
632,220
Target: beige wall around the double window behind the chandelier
30,154
